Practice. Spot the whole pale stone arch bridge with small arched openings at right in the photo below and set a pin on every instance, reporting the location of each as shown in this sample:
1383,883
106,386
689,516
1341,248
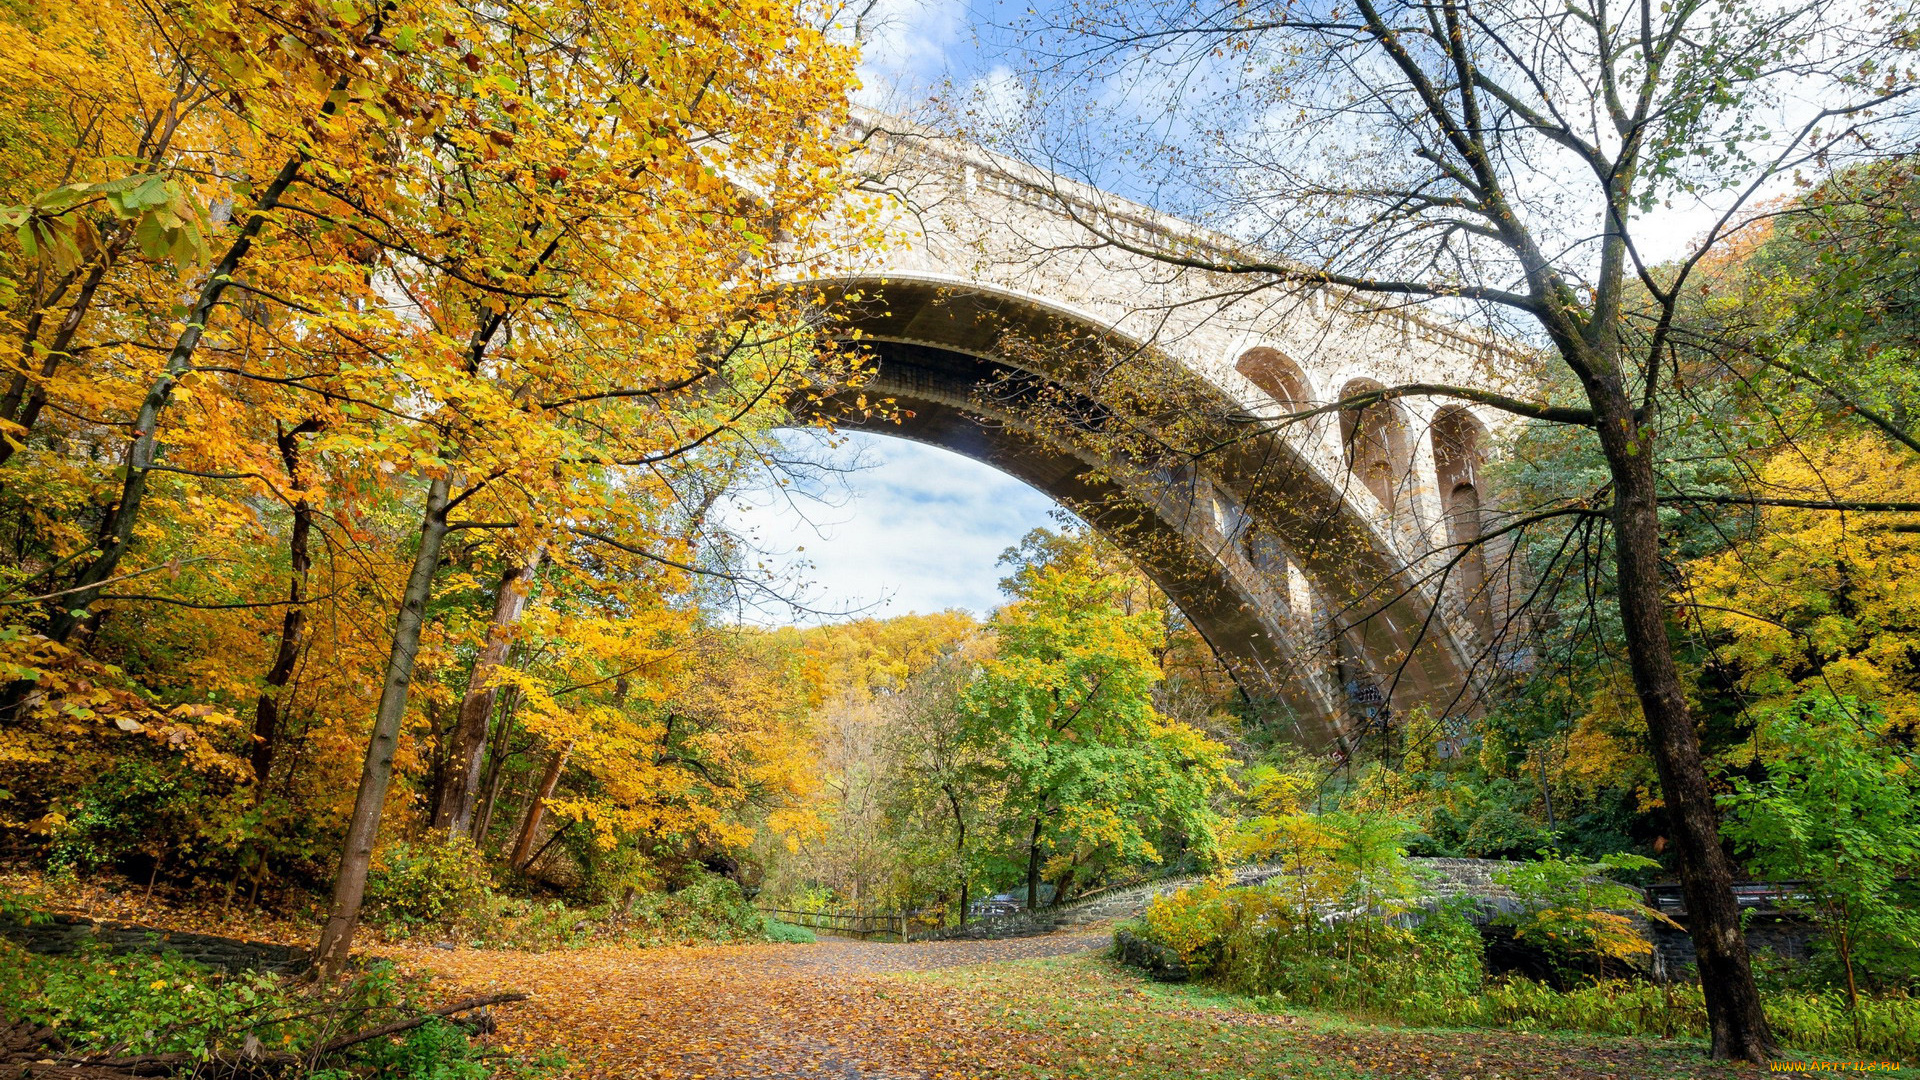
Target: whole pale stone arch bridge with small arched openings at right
1322,556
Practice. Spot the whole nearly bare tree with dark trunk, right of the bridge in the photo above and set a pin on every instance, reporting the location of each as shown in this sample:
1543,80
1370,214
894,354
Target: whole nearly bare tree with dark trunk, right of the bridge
1508,160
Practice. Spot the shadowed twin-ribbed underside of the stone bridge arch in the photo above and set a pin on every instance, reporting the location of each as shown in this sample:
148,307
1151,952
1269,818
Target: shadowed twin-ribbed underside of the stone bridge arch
944,358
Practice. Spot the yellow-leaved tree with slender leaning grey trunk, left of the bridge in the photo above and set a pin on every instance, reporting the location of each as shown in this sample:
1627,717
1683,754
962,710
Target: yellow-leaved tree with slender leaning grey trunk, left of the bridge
602,233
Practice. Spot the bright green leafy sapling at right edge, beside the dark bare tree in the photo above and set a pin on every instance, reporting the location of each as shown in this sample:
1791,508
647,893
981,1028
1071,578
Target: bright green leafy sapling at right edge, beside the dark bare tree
1840,810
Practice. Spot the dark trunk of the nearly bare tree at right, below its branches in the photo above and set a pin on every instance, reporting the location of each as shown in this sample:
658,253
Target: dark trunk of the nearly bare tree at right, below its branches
1735,1010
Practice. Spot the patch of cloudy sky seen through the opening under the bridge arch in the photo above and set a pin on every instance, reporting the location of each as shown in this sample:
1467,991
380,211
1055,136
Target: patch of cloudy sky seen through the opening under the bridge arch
913,529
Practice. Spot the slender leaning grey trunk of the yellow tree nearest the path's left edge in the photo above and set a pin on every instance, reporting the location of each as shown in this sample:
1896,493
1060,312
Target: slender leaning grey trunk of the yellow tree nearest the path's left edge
356,856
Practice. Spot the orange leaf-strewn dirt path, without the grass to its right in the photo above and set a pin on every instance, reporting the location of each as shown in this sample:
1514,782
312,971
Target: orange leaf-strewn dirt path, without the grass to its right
742,1012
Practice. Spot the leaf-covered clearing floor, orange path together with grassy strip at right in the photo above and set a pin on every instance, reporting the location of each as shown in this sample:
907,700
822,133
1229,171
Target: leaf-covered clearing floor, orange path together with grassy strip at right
959,1010
